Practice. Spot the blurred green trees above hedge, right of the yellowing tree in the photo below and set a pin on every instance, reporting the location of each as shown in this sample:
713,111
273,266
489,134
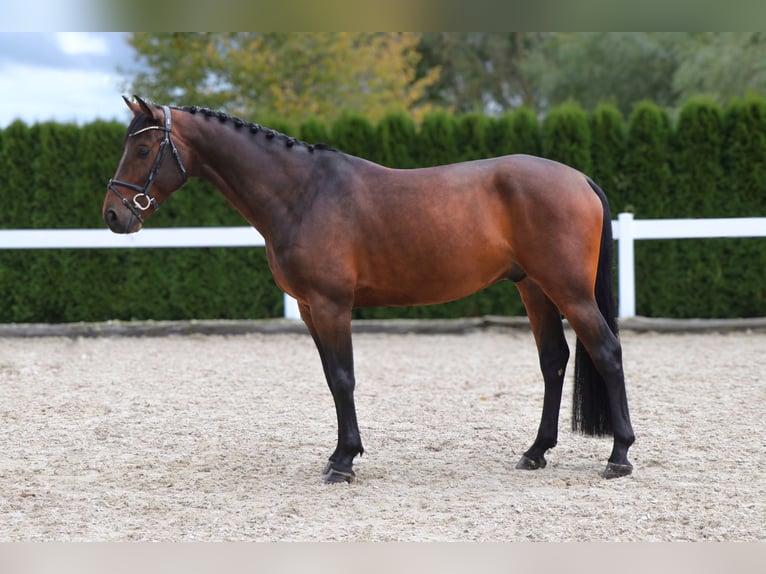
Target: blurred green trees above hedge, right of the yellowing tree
542,70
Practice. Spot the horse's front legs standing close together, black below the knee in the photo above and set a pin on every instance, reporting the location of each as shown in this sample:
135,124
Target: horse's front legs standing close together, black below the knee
330,326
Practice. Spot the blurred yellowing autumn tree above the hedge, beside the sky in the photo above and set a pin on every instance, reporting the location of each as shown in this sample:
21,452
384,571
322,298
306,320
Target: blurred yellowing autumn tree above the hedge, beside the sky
293,76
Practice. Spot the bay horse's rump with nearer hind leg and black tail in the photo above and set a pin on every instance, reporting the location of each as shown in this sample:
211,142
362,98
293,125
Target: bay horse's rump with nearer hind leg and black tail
563,240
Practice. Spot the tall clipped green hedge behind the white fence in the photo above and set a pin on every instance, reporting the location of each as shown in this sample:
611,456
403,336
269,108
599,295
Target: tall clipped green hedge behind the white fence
709,162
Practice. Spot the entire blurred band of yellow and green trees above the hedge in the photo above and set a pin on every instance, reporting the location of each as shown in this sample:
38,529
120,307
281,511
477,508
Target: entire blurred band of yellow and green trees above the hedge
322,74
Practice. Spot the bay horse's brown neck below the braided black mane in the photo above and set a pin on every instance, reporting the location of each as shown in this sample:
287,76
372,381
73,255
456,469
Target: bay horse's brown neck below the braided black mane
262,178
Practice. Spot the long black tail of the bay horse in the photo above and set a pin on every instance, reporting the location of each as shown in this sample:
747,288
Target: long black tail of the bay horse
590,407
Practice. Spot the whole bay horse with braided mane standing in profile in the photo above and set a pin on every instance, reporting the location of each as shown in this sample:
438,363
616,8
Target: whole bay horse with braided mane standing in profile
343,232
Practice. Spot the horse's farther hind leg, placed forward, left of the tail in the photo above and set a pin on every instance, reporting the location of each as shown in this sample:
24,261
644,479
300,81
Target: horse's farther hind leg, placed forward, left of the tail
545,321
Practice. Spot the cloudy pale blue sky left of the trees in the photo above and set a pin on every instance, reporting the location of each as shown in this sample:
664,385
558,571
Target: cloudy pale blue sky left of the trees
63,76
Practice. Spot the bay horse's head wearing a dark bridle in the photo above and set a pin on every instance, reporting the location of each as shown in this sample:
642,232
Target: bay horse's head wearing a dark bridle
146,175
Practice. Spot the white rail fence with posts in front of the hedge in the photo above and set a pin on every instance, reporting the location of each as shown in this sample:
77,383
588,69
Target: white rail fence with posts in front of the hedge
626,231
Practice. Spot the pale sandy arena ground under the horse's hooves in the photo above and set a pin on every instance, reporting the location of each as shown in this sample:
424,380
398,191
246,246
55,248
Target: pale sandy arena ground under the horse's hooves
209,437
